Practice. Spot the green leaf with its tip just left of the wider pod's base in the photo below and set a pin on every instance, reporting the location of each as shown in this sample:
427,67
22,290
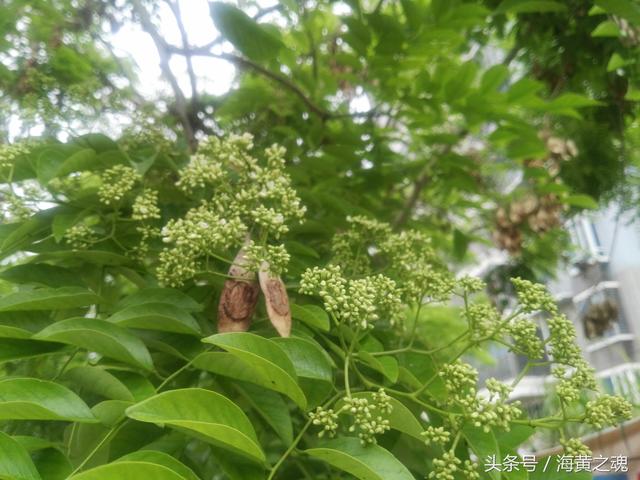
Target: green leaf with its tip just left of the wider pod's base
157,316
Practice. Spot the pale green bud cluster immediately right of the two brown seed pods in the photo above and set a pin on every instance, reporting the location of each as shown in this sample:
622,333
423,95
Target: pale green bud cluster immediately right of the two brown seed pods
359,302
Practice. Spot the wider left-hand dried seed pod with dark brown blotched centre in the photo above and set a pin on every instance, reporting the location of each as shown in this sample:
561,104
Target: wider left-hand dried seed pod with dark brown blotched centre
239,297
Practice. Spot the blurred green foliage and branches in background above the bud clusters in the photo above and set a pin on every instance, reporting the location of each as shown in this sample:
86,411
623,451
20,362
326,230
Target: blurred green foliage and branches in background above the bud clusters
485,123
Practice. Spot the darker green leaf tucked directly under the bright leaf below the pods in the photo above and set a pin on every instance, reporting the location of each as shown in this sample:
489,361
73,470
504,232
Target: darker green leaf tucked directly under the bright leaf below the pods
271,407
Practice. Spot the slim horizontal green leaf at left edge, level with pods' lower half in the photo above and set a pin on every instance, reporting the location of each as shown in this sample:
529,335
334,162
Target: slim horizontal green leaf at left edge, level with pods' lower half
48,299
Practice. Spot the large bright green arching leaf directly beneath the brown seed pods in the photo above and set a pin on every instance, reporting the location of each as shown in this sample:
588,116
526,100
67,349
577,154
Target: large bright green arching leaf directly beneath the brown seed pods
266,359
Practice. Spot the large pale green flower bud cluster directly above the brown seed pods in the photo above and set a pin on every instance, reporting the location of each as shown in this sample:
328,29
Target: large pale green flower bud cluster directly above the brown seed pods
242,194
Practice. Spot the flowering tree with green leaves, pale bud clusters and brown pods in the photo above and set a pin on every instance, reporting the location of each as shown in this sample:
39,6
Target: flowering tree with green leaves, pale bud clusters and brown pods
201,302
